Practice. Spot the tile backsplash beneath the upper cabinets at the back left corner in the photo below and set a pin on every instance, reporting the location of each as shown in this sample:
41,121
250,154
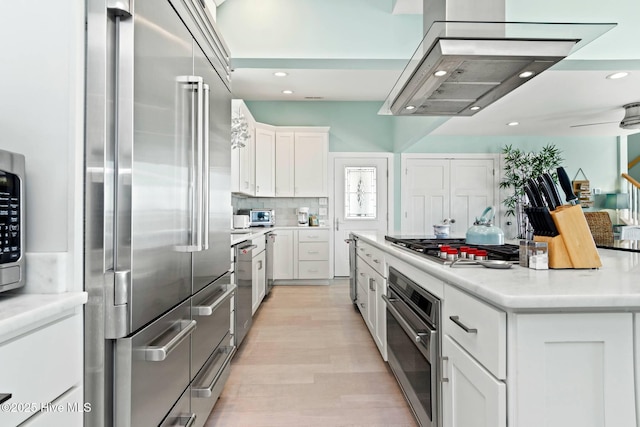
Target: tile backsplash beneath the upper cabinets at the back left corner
285,207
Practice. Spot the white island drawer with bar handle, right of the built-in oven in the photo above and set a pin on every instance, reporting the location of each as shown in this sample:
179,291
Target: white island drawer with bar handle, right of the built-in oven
478,328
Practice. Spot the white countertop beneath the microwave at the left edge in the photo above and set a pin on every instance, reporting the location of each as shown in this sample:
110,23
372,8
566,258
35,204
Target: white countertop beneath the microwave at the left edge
20,313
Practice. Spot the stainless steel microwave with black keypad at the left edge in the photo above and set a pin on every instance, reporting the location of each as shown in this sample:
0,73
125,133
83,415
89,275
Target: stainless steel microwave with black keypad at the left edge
12,215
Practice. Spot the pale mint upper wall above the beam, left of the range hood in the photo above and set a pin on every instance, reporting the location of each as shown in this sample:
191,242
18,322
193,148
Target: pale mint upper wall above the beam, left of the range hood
318,29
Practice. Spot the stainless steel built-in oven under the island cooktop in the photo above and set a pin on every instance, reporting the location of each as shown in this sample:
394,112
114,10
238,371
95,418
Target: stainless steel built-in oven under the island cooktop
413,345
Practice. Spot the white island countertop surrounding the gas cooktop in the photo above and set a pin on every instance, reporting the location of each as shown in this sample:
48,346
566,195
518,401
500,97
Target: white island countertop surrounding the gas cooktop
615,286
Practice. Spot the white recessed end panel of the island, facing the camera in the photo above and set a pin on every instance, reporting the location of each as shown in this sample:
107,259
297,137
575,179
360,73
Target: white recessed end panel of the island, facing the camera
574,369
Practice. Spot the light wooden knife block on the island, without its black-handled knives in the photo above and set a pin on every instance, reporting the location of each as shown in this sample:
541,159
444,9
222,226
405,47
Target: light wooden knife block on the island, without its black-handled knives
574,246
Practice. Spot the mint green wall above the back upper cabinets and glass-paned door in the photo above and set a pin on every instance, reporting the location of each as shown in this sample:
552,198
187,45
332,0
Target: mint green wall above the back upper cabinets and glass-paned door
355,126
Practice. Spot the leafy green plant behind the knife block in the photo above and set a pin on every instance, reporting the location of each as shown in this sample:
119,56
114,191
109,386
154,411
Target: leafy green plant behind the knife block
519,166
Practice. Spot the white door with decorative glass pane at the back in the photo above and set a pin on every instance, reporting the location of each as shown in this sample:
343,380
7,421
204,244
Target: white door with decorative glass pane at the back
360,202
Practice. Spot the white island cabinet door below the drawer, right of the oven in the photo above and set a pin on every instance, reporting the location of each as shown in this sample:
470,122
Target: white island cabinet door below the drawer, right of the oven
471,396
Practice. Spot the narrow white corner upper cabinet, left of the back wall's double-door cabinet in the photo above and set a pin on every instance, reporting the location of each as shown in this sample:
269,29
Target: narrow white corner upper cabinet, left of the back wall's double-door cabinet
265,161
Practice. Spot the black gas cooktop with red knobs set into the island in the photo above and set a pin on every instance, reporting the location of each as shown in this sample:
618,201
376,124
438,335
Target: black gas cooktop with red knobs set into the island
430,248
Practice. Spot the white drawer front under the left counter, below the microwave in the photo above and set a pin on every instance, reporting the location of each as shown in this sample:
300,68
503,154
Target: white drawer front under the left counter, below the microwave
40,366
